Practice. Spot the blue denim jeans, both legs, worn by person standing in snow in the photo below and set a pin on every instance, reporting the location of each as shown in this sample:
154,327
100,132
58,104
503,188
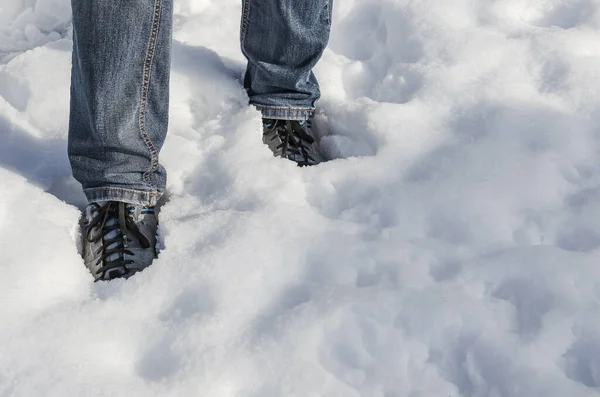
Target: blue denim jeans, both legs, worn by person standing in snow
120,84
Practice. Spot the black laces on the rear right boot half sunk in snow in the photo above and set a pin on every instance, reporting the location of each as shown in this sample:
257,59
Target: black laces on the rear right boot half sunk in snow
295,141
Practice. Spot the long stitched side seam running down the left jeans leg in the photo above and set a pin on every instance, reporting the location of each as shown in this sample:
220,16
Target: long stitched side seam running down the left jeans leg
147,73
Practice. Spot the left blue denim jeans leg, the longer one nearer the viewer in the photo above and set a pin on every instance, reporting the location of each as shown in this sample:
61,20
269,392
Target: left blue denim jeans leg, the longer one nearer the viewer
120,98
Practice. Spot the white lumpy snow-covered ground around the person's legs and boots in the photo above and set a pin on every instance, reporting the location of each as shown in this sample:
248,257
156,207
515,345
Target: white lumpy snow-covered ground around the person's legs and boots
451,248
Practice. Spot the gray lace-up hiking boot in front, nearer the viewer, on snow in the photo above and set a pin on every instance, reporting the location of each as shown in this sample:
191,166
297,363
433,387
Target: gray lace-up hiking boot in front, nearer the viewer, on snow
119,239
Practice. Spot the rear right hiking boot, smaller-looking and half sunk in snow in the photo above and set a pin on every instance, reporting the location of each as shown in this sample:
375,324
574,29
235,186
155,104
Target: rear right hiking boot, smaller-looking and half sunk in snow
292,140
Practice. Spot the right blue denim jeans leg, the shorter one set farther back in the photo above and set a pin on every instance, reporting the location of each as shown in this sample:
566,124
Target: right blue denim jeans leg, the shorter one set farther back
283,40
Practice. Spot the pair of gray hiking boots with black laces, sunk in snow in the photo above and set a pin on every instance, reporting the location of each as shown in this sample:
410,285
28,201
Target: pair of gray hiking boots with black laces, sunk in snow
120,238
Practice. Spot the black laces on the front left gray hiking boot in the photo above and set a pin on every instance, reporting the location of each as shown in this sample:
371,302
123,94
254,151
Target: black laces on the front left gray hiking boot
114,210
